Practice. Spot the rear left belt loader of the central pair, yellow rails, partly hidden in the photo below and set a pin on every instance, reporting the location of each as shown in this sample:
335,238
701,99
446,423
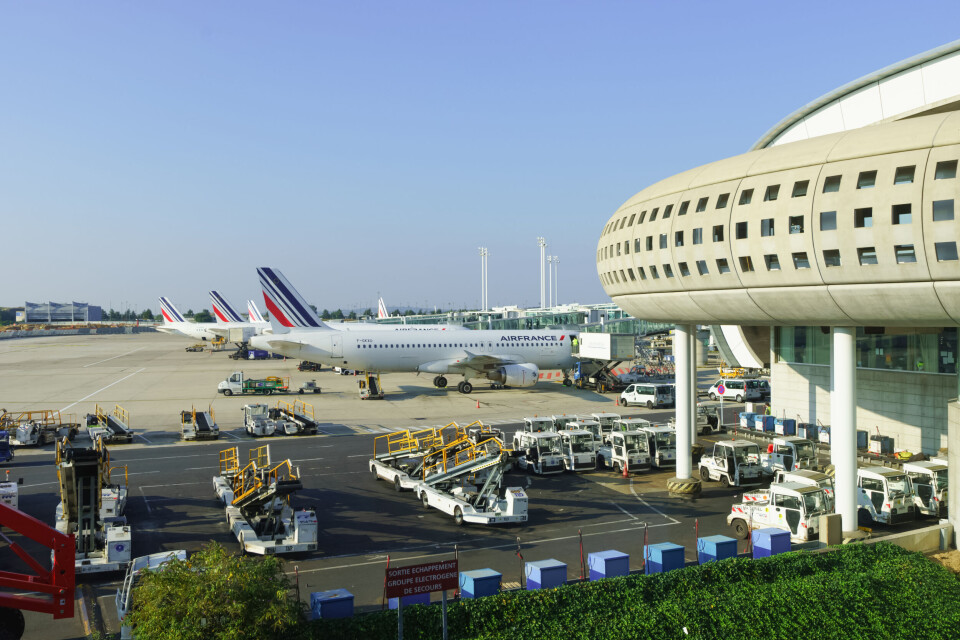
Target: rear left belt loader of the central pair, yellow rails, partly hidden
398,457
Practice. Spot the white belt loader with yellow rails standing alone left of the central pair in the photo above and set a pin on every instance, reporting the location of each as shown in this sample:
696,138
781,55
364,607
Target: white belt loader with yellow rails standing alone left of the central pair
257,501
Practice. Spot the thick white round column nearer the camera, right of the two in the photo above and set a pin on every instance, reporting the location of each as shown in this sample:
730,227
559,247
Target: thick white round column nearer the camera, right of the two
843,427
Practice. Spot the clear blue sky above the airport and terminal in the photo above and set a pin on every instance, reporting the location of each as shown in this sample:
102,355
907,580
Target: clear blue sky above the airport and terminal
370,148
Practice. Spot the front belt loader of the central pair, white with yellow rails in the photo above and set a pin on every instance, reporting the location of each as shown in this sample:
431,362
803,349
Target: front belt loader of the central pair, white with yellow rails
463,481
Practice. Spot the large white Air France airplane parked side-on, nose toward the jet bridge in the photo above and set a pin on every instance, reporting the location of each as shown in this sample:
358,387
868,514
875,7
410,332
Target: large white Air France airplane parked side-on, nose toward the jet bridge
506,358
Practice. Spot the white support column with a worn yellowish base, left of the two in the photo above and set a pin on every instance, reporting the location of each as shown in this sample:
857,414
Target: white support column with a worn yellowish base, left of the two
684,484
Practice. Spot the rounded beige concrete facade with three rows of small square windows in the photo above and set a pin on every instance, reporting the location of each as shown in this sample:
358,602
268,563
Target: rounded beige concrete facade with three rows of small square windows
852,228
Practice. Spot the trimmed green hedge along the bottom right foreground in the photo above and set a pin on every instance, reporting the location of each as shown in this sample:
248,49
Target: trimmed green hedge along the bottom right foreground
857,591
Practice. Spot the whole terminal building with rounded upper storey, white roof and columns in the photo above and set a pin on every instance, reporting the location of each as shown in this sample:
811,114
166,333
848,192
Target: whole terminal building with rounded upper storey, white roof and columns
828,250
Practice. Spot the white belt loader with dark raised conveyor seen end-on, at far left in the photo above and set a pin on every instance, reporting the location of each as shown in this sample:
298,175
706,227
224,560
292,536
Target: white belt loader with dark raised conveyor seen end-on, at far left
92,505
